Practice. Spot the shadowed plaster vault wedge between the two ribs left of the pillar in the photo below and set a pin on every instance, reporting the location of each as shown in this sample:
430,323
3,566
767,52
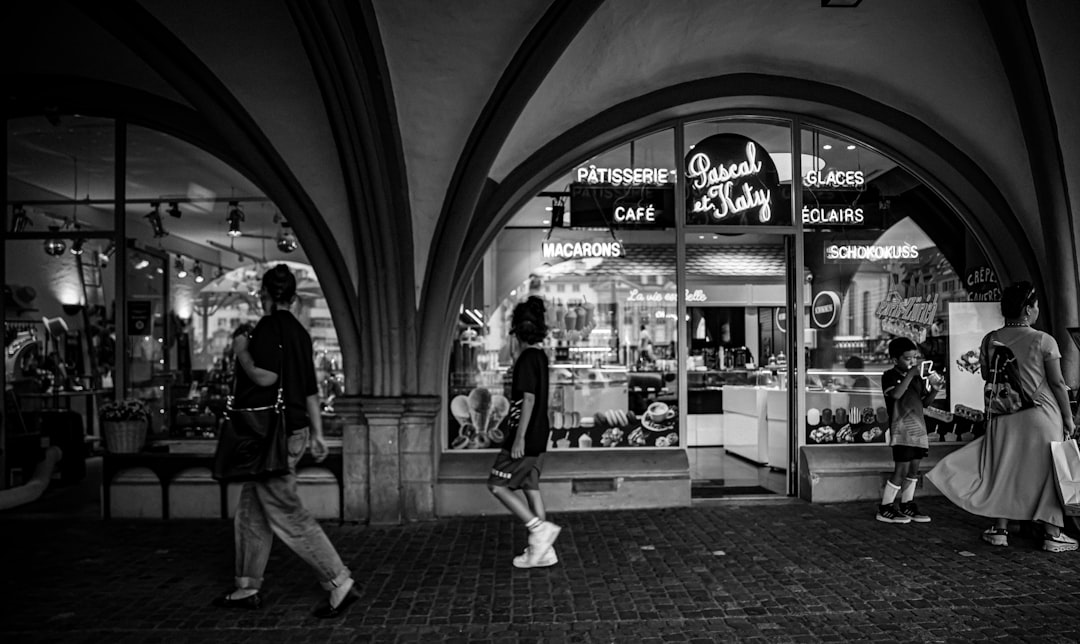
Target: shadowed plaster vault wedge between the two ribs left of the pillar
253,48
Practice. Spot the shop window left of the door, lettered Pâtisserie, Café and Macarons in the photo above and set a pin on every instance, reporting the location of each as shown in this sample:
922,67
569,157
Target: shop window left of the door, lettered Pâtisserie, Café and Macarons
598,246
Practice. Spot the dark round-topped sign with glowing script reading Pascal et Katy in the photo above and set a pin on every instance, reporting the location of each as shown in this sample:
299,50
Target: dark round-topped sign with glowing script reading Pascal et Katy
732,180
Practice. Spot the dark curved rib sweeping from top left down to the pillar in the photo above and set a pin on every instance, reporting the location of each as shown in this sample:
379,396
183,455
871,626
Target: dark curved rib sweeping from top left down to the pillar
169,57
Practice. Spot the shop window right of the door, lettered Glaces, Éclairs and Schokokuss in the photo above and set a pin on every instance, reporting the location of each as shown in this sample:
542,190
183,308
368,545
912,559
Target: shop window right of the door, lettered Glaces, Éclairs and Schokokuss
882,243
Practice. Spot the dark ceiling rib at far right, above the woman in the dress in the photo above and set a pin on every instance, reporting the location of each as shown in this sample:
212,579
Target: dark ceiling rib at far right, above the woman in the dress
1011,29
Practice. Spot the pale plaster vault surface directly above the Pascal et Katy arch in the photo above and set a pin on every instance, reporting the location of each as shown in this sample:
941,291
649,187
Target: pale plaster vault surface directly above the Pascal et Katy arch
935,61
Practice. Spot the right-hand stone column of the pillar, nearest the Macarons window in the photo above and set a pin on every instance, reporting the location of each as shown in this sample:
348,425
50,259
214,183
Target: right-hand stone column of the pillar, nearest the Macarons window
418,458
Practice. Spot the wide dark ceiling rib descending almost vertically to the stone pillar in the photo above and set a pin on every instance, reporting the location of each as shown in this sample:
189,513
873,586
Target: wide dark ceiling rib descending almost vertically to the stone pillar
346,52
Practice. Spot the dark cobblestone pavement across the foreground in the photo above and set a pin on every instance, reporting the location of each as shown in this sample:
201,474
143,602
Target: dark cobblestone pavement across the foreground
787,572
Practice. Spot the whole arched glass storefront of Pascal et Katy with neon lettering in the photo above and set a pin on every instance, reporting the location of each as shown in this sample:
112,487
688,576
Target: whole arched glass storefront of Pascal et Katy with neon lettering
669,276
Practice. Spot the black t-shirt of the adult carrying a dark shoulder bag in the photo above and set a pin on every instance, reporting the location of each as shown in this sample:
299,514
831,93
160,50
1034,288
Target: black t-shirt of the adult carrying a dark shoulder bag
280,344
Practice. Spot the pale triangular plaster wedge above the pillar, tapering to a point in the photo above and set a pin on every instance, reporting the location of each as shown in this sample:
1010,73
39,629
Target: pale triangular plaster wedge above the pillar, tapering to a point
445,60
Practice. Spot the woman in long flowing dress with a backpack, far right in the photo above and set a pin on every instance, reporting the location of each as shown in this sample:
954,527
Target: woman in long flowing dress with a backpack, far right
1008,474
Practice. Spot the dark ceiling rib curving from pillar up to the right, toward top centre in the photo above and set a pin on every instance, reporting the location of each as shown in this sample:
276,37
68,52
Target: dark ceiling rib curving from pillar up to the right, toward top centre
531,65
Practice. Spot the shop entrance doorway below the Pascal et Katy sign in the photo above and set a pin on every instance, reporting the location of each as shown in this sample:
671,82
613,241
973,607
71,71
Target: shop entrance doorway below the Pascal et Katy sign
737,344
